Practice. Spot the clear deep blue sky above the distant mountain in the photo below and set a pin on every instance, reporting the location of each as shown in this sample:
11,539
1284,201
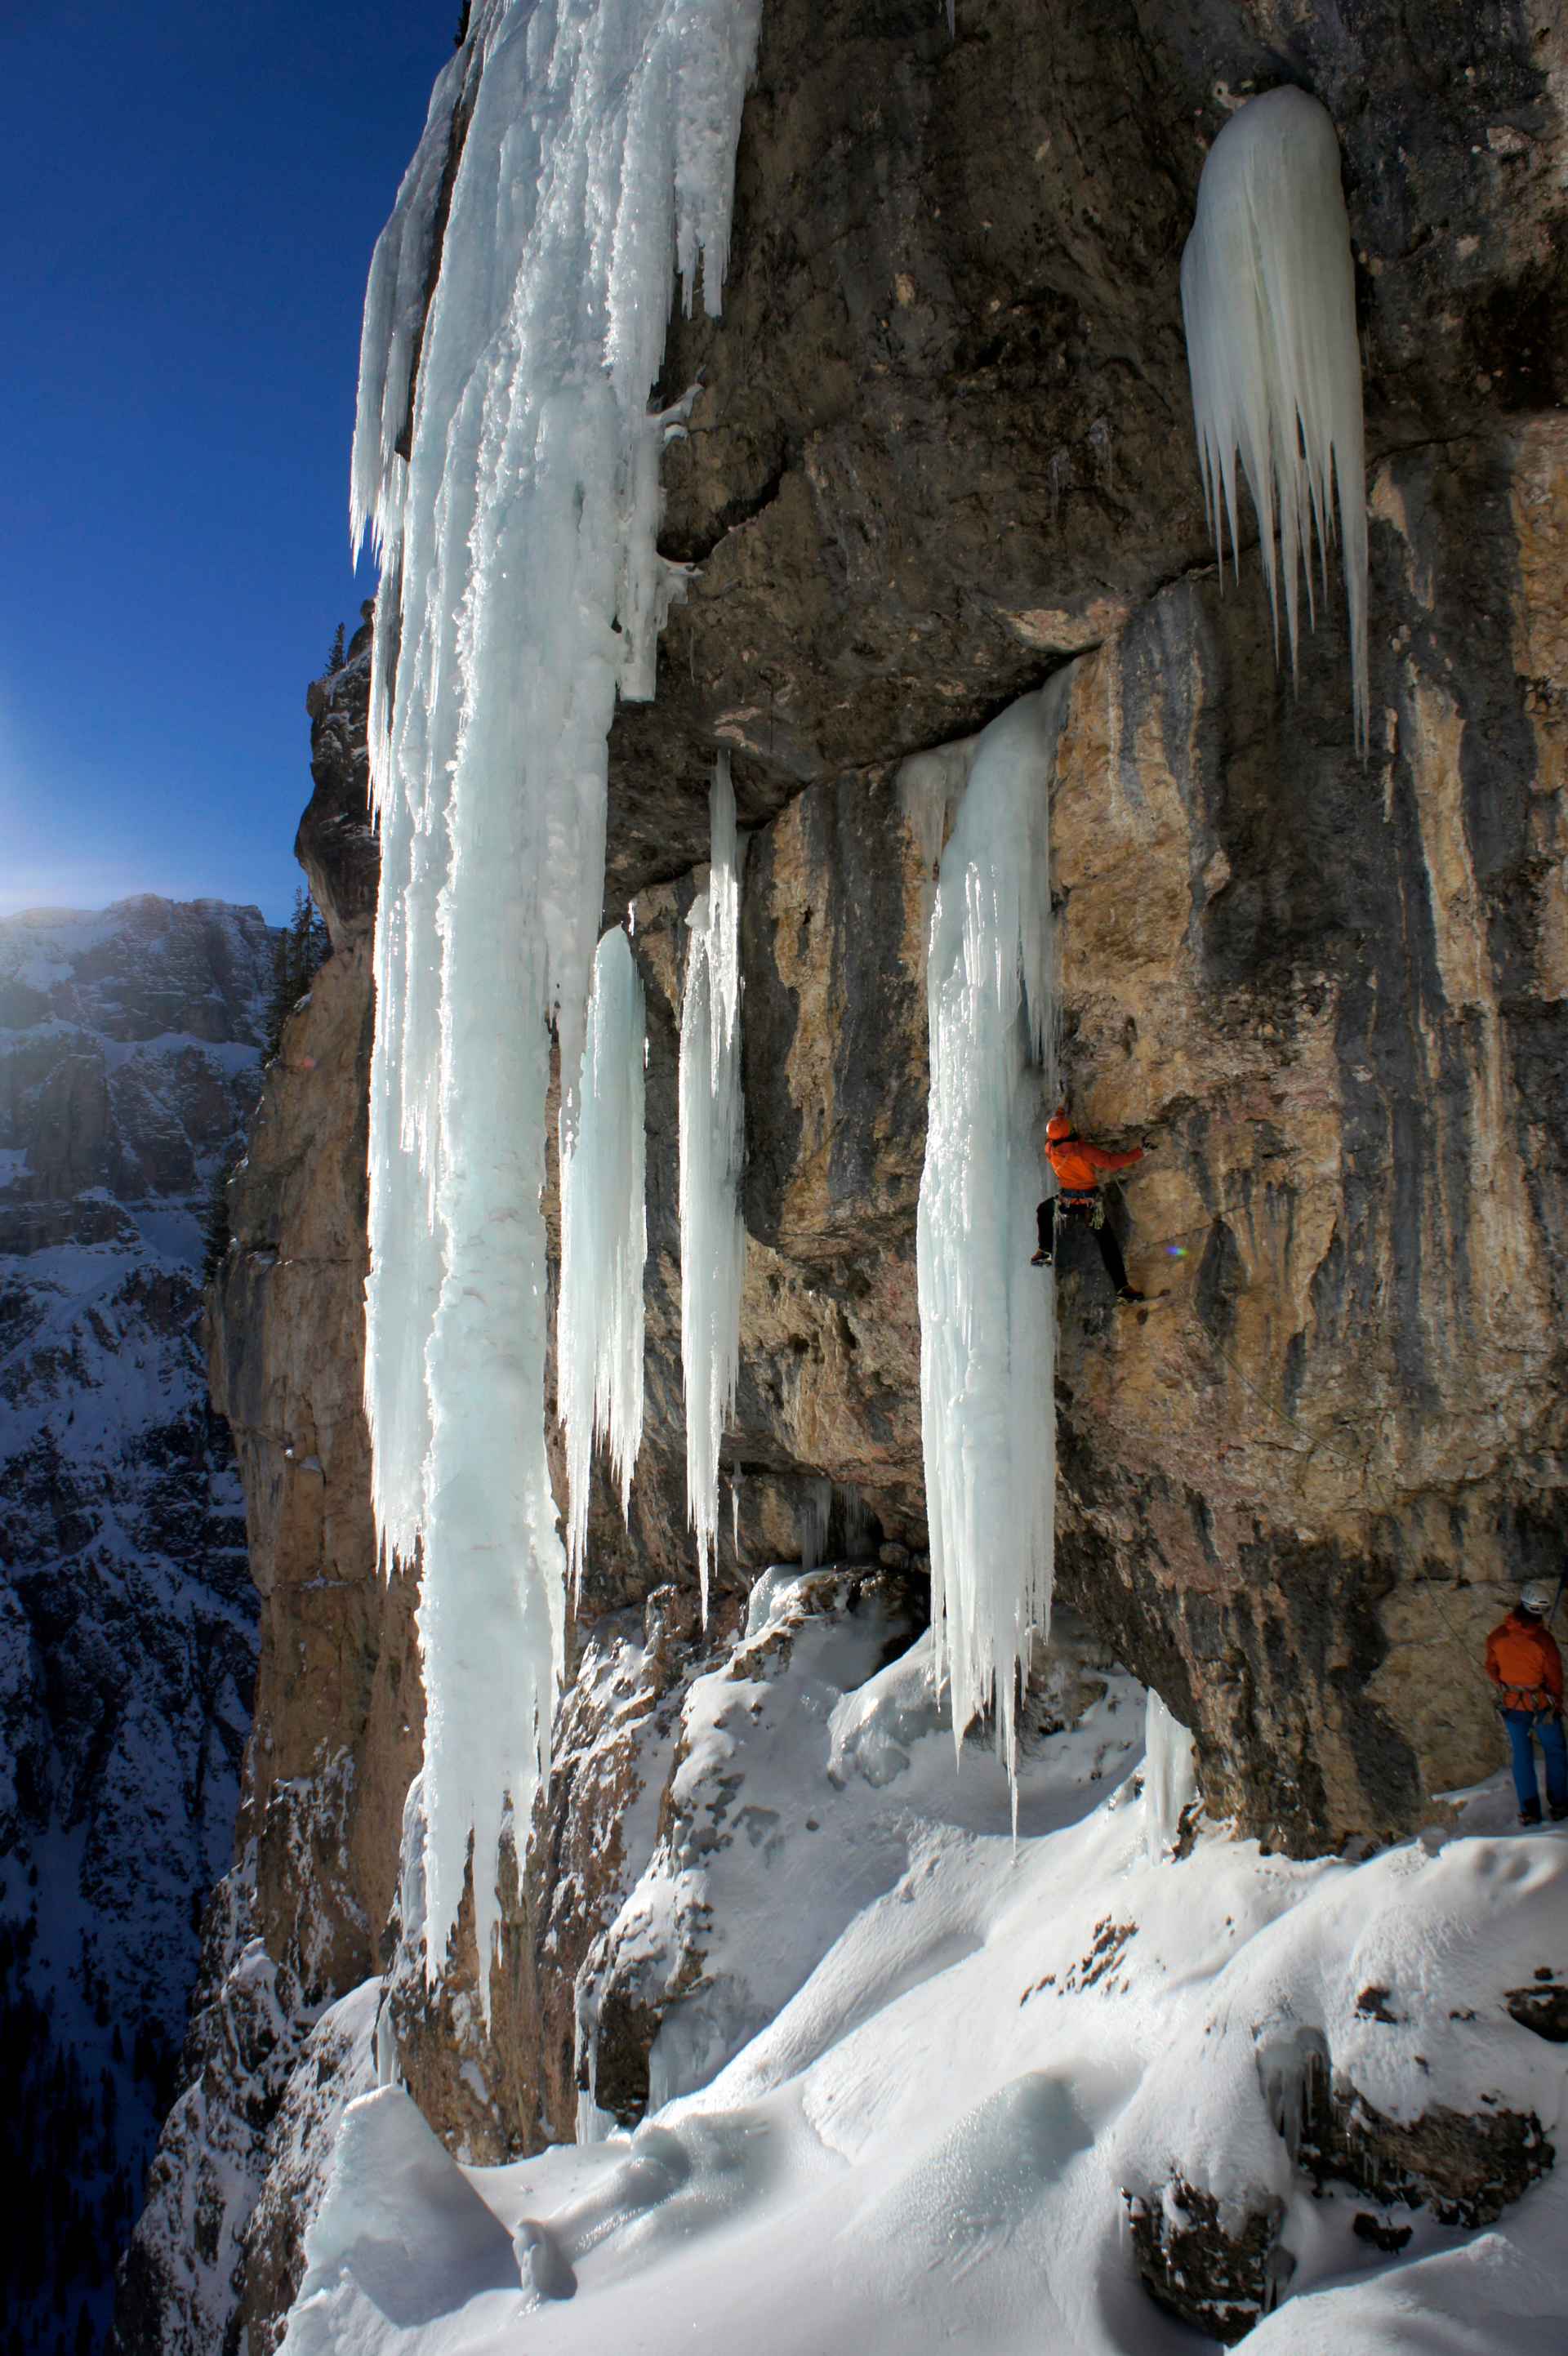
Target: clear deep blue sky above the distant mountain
190,197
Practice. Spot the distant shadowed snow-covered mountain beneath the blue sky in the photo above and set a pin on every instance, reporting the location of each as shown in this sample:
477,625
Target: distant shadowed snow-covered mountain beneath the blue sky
131,1054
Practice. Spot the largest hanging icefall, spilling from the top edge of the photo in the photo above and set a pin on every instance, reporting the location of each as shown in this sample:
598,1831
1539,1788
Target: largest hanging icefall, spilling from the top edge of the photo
507,468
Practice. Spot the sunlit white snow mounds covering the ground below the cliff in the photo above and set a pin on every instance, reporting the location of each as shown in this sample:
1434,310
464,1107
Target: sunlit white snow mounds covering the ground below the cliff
934,2140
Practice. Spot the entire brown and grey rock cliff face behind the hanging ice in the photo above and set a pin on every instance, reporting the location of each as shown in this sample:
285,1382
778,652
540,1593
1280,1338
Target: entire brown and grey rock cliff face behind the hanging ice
943,451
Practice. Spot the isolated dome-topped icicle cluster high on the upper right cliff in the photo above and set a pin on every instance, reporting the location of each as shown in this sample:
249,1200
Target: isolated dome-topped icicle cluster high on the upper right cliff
1270,305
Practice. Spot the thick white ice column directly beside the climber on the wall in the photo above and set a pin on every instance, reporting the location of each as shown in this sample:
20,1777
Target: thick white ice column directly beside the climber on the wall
988,1318
